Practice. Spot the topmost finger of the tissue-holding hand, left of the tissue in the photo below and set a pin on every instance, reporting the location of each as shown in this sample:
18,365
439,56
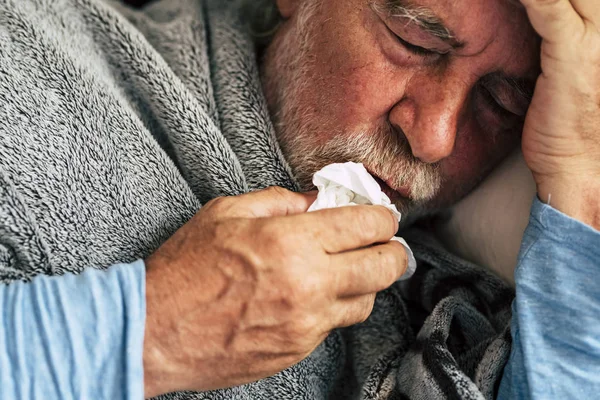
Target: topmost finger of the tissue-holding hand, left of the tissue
271,202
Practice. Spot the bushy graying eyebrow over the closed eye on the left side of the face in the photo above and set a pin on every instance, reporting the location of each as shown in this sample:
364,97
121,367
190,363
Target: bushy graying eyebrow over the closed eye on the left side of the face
423,17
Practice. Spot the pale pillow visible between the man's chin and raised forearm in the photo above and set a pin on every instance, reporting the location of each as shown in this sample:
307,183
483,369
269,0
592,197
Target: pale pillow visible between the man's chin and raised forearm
487,226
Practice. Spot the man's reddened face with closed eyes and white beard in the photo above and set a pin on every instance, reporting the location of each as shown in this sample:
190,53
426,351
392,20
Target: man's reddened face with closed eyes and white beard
429,95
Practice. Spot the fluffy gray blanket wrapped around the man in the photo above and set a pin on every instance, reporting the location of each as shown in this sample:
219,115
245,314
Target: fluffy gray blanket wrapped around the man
116,125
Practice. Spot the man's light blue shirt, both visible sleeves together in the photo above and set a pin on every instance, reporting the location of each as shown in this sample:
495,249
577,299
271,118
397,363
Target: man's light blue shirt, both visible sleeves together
81,337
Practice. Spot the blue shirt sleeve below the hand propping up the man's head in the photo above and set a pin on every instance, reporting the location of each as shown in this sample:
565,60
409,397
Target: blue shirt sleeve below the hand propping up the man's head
556,312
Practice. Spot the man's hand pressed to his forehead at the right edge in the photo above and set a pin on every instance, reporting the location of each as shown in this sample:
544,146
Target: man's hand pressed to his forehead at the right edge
561,139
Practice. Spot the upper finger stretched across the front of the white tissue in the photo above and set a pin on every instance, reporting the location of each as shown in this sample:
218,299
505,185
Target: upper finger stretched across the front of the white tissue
352,227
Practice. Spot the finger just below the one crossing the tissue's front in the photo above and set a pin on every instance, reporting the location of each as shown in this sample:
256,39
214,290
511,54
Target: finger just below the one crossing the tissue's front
368,270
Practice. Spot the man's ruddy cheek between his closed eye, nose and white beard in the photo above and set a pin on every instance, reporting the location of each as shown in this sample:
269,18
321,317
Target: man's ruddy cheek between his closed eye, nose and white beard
354,82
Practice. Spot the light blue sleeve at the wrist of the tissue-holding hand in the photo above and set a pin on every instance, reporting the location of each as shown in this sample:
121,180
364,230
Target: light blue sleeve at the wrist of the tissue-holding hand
74,336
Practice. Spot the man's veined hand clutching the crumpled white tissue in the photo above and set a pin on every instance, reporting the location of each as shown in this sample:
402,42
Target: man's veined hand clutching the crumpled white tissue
253,284
